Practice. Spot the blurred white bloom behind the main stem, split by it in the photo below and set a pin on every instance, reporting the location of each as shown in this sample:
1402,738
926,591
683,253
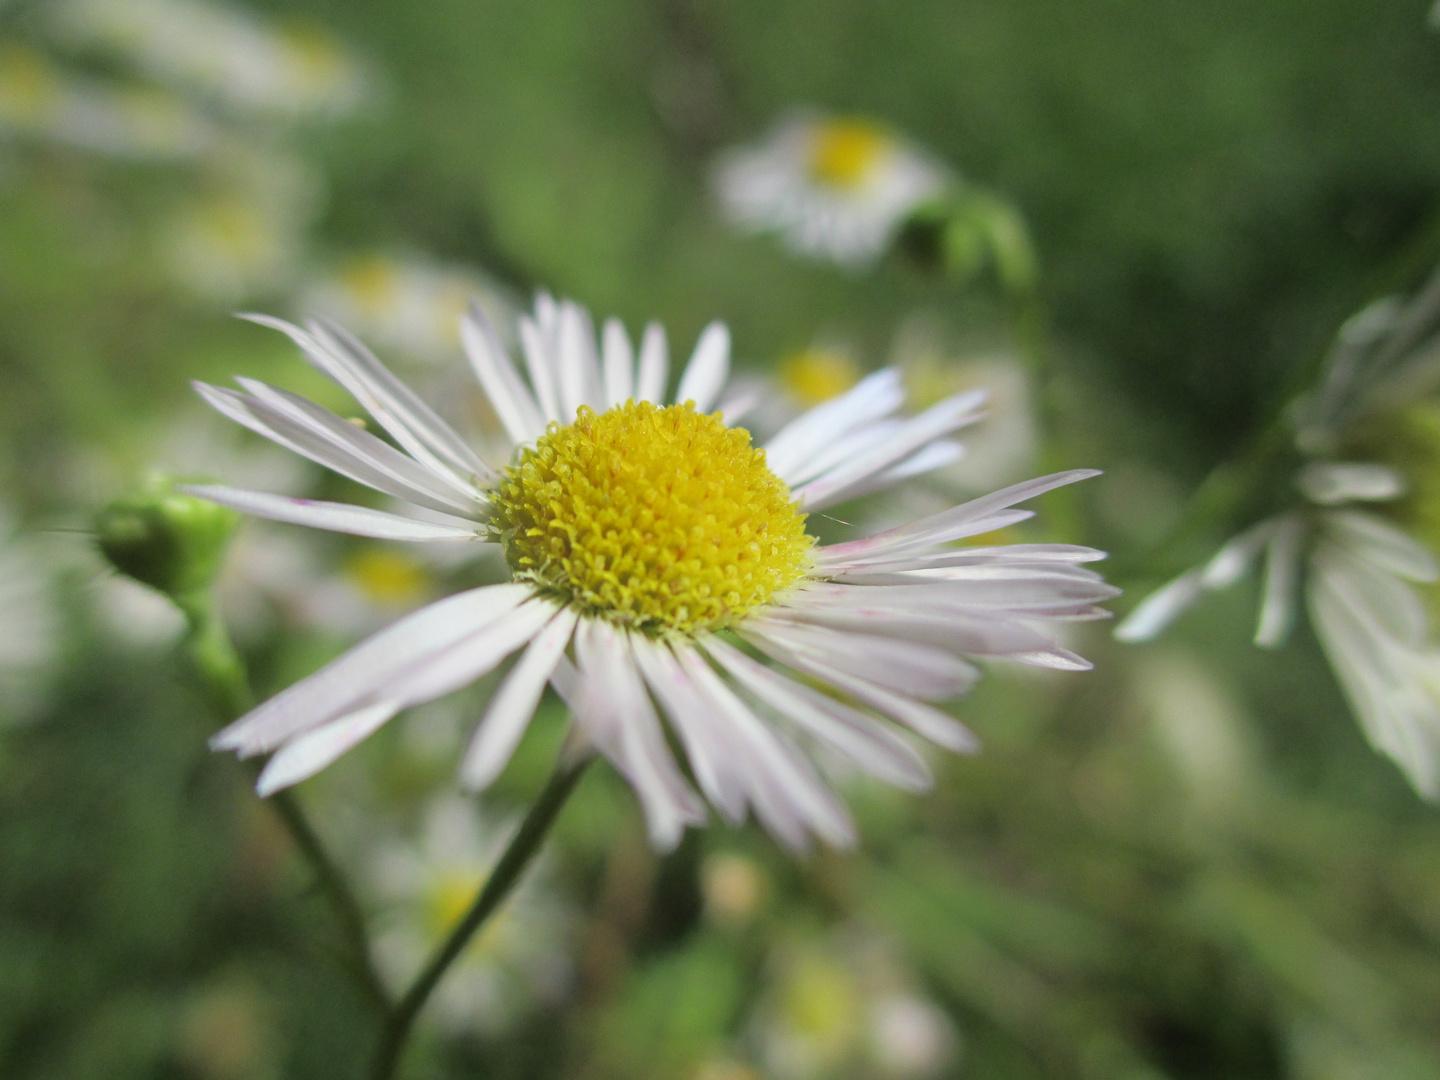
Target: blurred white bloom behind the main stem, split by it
426,885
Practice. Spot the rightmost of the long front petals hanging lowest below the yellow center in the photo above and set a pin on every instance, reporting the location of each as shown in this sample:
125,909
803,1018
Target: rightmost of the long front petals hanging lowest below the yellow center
786,787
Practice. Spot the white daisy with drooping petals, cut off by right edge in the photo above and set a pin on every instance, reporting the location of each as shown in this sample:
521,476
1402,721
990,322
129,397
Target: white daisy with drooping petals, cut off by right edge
1354,568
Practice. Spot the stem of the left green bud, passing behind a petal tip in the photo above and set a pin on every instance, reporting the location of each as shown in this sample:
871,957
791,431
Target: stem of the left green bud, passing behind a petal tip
212,657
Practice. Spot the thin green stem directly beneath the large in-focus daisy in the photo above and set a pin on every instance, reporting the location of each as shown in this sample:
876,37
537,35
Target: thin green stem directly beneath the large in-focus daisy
503,879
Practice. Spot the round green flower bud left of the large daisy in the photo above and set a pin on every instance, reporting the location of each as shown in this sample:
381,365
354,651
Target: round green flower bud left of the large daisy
171,542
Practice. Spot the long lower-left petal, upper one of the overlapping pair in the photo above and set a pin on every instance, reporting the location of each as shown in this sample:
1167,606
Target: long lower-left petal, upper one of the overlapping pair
366,670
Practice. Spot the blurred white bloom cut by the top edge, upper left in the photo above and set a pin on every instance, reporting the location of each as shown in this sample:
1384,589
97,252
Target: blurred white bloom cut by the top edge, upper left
224,53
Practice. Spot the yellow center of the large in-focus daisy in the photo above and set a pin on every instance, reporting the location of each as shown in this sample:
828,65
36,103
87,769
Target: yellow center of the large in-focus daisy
660,519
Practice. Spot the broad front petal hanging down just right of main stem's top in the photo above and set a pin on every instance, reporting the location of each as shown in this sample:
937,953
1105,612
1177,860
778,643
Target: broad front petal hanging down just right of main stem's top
618,716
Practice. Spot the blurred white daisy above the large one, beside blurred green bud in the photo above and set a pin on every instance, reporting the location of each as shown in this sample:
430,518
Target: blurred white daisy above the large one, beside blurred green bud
836,188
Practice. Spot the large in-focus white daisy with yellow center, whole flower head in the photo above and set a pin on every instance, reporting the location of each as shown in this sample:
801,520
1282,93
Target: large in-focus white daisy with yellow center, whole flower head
654,552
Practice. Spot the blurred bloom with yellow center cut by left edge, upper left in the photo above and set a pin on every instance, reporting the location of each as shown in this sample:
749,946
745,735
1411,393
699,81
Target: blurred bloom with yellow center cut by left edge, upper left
40,102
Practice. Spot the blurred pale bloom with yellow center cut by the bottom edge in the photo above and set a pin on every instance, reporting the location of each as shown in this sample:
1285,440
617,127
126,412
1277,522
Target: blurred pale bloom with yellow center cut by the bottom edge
846,1007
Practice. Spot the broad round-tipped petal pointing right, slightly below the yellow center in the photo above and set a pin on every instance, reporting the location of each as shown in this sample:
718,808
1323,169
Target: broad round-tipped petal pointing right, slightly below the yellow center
896,665
